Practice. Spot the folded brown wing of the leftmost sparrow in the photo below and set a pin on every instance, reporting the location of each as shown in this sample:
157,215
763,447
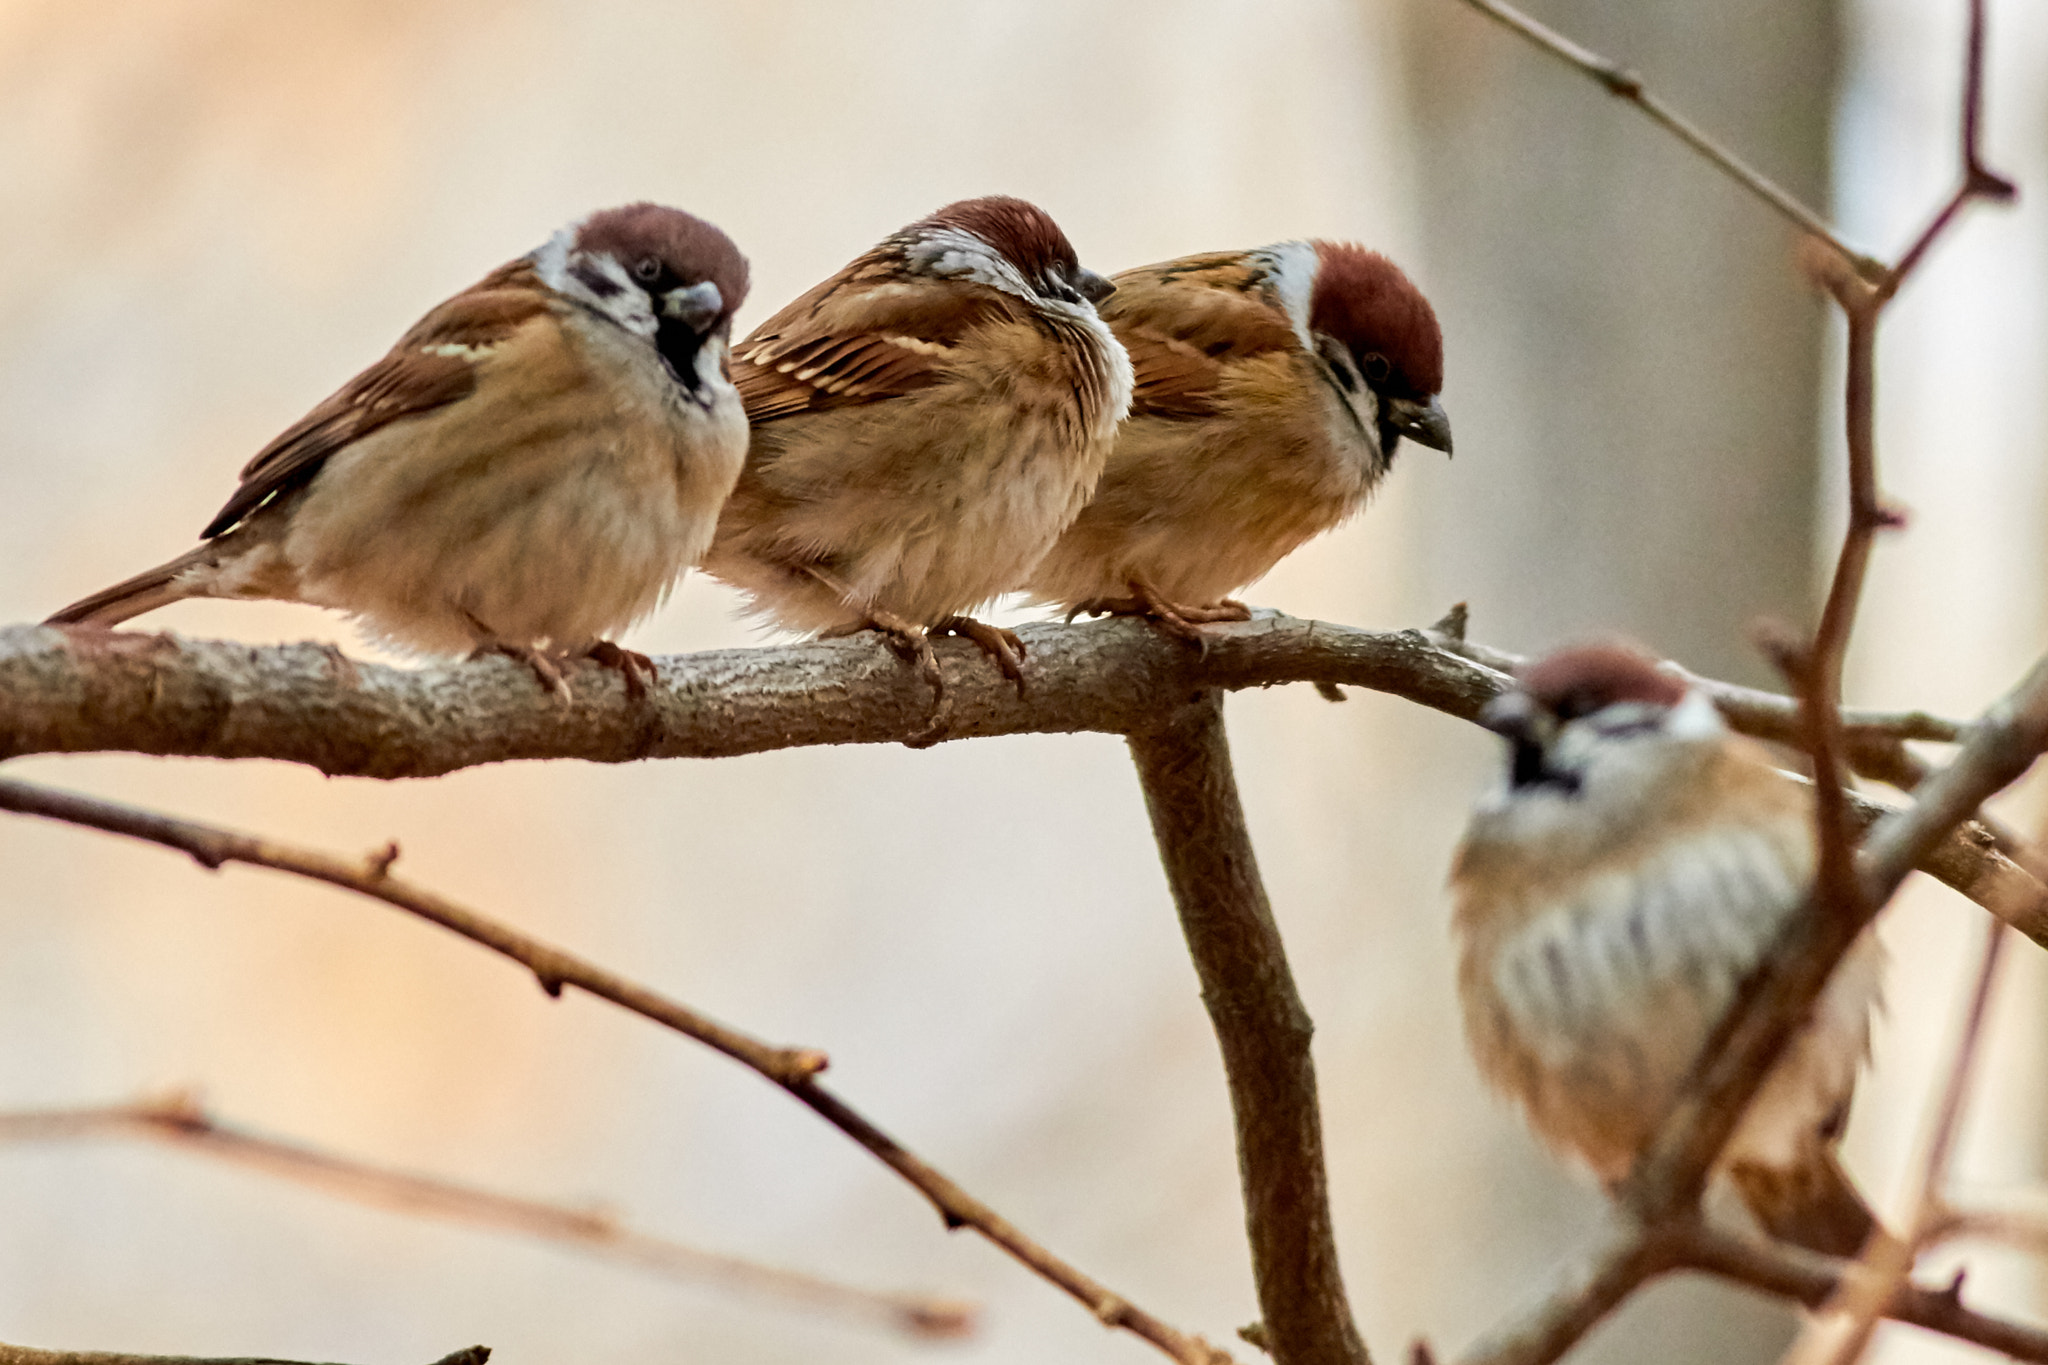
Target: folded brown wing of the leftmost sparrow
415,378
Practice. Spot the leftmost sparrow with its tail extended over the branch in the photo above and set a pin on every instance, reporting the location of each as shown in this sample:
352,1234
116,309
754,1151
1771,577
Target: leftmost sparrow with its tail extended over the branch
525,474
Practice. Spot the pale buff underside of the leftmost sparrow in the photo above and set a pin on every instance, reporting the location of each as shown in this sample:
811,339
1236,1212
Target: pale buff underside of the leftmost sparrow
546,511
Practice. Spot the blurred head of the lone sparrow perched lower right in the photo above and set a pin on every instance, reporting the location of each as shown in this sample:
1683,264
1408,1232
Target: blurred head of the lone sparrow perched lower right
1572,709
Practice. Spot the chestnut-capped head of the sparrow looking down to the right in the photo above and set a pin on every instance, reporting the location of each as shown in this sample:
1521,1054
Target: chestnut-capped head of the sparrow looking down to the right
1381,347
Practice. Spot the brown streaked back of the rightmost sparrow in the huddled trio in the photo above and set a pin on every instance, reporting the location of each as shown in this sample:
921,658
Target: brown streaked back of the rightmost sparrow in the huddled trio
1183,320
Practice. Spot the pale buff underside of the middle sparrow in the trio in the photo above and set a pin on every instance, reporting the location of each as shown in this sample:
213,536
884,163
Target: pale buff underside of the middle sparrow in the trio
925,504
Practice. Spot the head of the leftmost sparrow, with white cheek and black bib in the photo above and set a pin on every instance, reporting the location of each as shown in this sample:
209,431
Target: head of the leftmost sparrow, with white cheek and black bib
658,273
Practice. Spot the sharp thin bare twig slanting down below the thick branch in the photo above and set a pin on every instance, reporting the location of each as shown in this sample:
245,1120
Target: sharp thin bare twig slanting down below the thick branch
794,1069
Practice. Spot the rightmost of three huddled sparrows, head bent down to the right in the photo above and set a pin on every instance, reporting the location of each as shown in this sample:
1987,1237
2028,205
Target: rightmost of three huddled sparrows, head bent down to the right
1273,390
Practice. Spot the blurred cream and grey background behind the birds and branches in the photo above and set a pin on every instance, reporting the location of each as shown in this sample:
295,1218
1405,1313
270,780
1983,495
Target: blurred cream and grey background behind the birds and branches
218,210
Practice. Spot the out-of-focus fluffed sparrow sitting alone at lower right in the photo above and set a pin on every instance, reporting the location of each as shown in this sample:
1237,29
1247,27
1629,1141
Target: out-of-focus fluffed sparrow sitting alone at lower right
1613,897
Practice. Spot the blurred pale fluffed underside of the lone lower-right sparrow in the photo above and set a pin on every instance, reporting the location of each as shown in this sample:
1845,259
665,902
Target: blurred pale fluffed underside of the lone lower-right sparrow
1594,1012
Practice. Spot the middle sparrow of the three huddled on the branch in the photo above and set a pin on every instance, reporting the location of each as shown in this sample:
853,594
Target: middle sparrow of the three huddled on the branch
925,423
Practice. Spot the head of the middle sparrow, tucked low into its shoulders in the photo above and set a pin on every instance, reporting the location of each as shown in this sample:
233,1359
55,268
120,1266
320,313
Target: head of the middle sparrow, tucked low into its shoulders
1009,245
